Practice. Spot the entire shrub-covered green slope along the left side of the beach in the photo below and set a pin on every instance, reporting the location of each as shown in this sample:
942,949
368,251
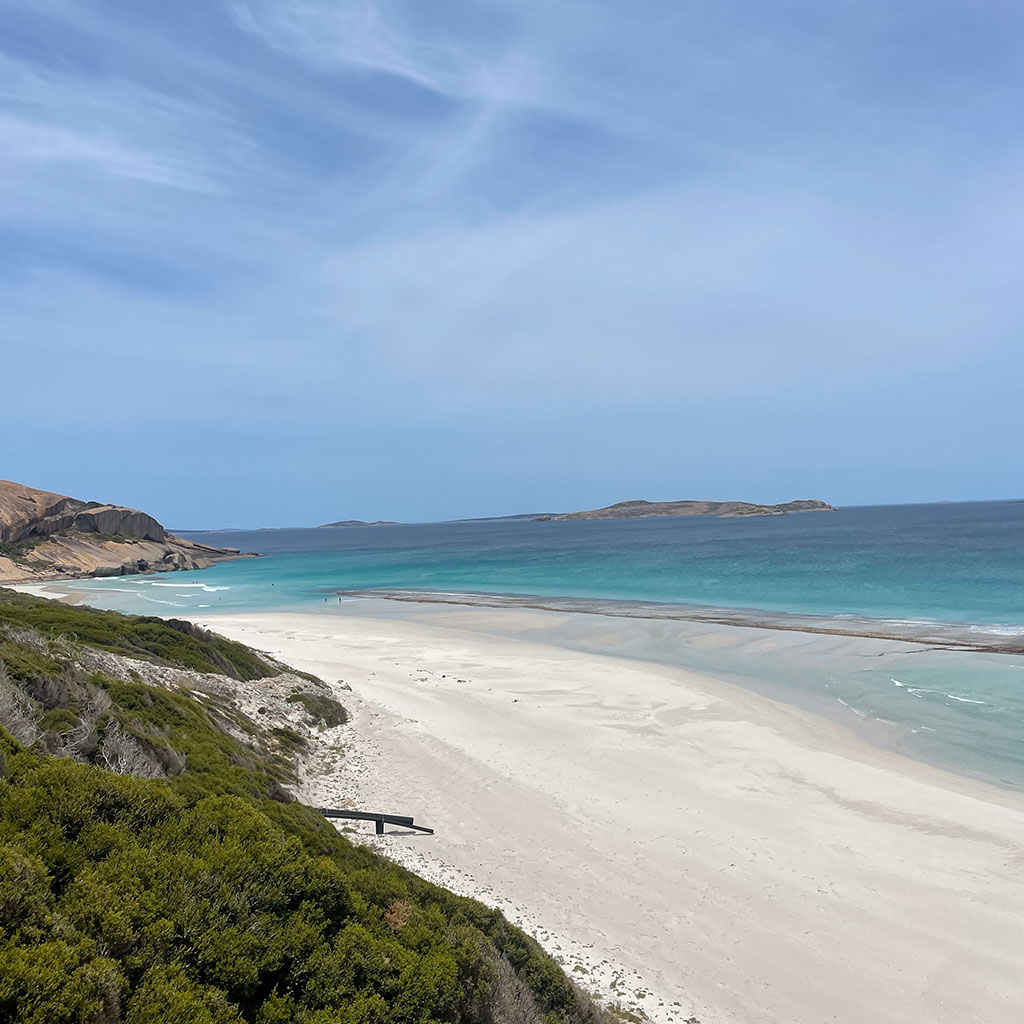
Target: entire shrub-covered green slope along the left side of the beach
203,892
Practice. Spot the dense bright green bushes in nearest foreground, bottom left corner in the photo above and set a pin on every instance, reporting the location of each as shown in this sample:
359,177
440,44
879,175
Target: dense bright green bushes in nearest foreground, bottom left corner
126,899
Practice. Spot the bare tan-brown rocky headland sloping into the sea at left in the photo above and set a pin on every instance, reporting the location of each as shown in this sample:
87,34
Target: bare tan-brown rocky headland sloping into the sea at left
45,536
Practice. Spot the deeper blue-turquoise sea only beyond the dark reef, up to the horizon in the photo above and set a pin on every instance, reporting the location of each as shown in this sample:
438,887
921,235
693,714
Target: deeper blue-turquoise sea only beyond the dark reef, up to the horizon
952,563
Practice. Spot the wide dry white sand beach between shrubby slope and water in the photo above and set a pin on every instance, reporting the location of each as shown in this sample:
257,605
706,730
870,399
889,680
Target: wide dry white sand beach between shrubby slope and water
688,847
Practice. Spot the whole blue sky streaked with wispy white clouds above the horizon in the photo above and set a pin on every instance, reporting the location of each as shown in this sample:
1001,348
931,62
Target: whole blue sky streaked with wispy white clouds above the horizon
269,263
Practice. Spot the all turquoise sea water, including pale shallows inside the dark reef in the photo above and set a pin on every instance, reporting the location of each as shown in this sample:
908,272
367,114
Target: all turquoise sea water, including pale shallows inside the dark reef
859,569
